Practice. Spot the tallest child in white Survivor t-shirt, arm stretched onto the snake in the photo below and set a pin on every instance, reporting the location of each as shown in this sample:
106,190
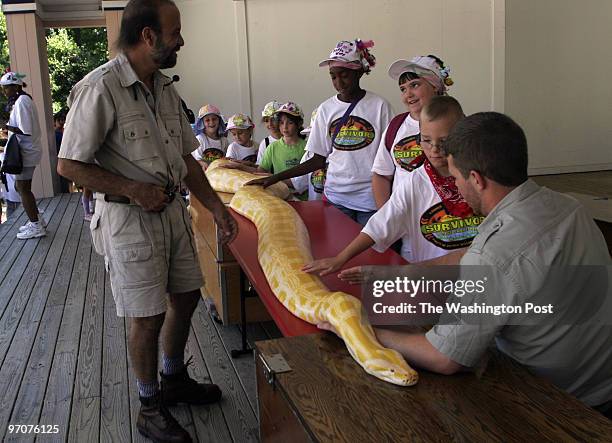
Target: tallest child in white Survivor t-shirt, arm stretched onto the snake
356,135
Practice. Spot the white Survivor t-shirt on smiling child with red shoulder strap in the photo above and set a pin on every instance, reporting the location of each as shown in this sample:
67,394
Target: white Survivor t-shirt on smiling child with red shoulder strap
406,147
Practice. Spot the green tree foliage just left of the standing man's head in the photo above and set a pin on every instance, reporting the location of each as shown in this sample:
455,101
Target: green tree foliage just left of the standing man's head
72,54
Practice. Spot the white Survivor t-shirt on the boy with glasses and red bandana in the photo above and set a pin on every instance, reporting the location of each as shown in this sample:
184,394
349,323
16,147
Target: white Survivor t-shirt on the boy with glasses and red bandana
415,213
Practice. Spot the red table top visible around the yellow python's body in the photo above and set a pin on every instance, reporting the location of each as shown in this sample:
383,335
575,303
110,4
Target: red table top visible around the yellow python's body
330,231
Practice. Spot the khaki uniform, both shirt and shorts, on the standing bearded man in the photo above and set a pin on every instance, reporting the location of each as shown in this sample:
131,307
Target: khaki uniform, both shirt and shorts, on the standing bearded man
116,123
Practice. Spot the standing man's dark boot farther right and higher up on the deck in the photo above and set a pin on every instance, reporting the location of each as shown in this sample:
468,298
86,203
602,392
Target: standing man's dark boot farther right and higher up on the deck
180,388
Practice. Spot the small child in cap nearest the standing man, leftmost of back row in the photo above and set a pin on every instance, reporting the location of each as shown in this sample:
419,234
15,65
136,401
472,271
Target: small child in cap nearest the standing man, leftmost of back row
210,132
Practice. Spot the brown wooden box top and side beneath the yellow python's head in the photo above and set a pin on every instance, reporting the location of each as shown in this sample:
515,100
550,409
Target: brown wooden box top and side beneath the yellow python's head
328,397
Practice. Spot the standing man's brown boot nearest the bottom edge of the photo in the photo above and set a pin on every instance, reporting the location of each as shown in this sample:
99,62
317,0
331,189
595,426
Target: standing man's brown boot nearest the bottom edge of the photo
156,422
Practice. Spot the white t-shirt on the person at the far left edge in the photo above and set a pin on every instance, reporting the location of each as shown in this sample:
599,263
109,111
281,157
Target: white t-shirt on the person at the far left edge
25,117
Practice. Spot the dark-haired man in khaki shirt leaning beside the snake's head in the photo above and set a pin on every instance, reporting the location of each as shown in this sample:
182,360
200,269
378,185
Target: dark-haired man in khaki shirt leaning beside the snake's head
534,246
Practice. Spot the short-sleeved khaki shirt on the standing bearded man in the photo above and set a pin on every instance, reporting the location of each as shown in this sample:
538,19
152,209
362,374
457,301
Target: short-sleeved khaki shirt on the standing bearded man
116,122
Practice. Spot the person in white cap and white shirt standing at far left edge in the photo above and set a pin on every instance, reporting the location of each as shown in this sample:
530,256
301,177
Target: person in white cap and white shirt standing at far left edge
23,124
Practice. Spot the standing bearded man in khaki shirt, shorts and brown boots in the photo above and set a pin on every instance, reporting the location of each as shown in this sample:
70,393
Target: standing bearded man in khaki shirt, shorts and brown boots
126,138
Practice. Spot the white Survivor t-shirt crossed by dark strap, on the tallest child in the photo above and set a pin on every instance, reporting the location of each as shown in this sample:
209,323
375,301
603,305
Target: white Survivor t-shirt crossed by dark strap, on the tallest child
349,172
